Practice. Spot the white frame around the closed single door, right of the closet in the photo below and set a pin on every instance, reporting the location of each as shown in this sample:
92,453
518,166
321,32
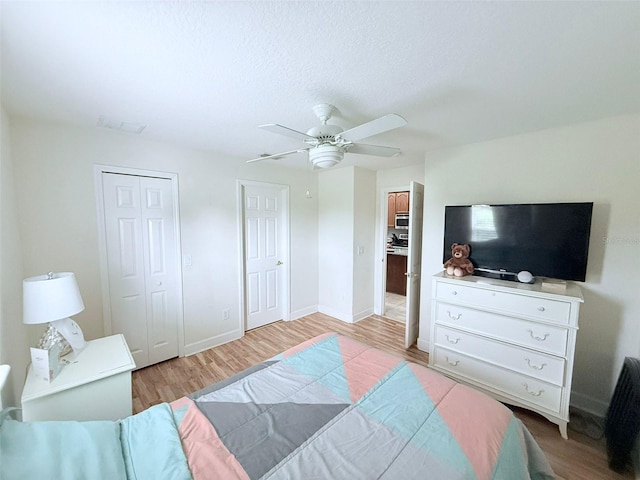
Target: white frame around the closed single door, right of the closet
285,245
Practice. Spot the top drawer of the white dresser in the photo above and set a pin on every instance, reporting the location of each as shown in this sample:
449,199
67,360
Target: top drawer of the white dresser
509,303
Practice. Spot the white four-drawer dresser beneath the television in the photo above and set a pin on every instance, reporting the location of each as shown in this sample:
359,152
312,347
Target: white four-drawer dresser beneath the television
512,340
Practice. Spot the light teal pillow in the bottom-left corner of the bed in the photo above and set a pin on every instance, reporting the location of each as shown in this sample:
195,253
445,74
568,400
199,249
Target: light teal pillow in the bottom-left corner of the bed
64,450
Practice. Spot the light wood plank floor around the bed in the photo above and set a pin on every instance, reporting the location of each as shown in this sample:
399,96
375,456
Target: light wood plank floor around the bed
579,458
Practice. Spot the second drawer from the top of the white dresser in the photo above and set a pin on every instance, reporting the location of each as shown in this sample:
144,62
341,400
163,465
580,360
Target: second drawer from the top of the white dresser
544,337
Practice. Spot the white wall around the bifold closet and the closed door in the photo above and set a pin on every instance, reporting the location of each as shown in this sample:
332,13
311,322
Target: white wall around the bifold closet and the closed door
58,222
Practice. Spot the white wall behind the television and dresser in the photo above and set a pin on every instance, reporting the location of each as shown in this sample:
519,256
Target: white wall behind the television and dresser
596,161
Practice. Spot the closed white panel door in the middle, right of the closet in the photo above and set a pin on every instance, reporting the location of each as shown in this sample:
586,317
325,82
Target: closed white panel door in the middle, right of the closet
264,254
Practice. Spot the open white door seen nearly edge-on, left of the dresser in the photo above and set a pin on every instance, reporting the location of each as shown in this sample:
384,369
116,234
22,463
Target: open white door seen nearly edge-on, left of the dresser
414,262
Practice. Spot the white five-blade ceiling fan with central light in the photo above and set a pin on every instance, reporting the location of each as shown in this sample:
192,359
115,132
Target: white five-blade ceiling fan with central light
327,144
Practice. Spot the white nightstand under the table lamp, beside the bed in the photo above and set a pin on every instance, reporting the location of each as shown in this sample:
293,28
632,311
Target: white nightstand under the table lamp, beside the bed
95,386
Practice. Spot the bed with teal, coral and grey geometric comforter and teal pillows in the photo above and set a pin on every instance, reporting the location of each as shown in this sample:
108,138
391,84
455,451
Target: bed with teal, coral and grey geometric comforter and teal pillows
330,408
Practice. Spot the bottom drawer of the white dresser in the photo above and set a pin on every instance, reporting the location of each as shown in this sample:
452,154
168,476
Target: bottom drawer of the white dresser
513,384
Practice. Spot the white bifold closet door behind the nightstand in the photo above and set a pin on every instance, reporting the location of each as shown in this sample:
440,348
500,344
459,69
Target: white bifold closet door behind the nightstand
142,264
